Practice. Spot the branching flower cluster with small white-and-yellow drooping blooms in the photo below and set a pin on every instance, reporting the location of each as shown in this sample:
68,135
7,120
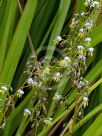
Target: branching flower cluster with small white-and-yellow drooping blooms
76,49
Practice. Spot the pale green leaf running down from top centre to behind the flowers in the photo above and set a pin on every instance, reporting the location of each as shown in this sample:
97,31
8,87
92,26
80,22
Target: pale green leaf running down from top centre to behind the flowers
62,13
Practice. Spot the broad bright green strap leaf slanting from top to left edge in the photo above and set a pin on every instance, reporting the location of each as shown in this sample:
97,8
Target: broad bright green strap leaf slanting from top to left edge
17,43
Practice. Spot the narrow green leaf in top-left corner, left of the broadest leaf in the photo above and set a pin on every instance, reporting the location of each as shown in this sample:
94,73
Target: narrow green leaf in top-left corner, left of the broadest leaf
5,30
